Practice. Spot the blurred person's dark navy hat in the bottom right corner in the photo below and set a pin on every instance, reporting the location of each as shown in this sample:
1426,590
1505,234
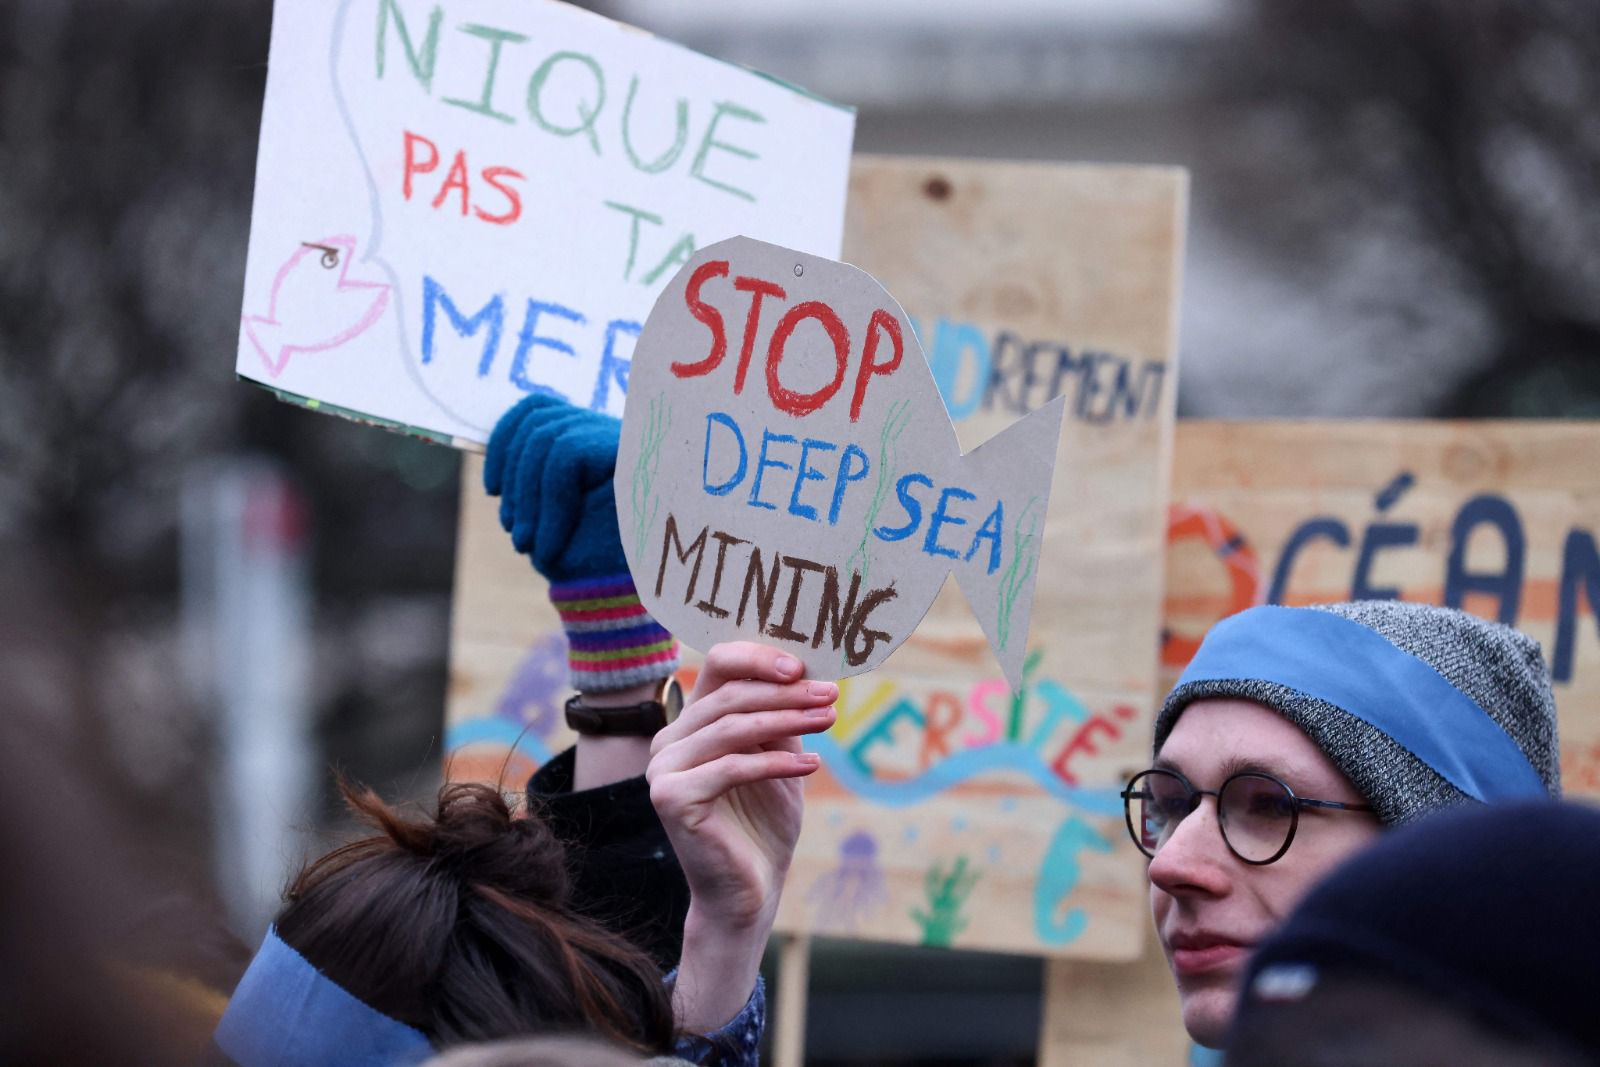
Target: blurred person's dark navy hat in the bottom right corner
1466,941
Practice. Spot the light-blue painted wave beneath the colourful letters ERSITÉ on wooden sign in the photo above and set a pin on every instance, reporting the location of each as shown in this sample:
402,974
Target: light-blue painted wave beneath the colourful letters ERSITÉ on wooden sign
956,770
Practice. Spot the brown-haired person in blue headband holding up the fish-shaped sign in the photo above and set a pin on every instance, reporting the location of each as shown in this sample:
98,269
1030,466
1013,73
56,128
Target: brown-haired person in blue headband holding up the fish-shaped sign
460,927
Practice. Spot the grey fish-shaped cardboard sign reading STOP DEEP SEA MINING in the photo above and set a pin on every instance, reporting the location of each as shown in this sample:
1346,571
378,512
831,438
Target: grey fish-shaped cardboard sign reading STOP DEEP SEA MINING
790,474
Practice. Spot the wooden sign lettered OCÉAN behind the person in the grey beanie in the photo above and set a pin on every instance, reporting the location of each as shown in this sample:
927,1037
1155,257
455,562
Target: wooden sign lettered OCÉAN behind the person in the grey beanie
1498,519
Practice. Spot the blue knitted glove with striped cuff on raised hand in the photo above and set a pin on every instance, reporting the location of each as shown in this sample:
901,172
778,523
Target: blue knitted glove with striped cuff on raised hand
553,466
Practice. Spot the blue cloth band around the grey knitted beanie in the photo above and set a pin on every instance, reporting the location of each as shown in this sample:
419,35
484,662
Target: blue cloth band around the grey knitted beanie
1359,671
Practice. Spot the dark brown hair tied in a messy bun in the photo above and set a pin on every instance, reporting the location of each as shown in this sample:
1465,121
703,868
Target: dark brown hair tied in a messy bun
462,925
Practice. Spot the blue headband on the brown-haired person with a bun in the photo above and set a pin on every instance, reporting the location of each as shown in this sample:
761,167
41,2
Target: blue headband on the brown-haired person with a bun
286,1013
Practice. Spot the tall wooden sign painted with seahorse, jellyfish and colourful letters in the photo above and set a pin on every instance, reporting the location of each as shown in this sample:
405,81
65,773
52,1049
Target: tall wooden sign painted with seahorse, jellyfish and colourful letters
951,810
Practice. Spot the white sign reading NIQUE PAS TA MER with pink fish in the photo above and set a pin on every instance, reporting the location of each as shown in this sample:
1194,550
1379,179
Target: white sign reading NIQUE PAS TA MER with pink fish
463,202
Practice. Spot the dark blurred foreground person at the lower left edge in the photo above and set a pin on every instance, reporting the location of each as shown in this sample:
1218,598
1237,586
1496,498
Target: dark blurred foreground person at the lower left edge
111,948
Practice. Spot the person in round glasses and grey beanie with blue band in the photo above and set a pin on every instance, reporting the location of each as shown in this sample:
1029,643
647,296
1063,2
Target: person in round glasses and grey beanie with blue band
1294,740
